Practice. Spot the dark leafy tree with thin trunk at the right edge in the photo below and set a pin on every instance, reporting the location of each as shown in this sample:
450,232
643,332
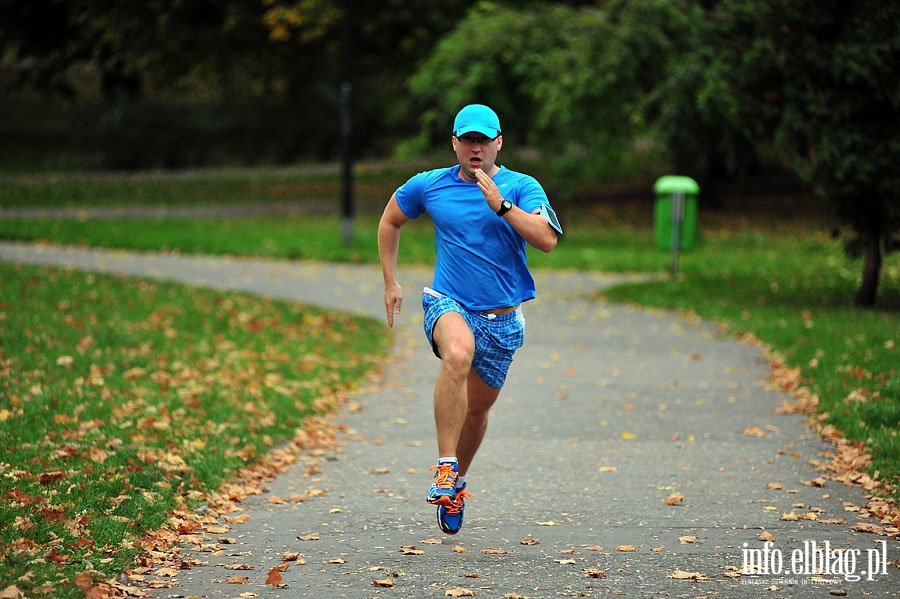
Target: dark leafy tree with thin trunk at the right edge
819,81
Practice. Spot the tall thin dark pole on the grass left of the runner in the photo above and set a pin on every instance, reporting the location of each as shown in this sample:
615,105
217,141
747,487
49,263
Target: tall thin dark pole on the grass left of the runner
347,126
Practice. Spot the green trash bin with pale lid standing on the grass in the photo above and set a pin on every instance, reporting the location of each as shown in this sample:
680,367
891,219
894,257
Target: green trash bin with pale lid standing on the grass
675,210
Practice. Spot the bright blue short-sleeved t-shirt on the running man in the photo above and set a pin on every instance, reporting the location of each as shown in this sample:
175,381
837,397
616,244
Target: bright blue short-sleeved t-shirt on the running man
481,260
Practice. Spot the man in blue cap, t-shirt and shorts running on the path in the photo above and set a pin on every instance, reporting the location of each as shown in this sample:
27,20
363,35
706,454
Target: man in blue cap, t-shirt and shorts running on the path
484,216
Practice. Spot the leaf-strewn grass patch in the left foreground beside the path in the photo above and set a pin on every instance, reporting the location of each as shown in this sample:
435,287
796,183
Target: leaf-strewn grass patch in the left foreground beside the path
122,398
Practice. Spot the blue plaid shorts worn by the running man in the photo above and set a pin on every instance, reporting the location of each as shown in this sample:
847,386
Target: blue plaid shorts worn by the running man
496,337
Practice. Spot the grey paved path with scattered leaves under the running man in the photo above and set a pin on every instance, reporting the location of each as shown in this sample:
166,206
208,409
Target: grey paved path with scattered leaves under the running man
607,413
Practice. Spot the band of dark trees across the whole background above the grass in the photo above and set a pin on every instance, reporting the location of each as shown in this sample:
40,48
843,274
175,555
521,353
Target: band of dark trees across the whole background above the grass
710,88
